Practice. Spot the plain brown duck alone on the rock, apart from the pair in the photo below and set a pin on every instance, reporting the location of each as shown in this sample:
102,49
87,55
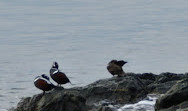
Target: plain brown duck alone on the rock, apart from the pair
115,67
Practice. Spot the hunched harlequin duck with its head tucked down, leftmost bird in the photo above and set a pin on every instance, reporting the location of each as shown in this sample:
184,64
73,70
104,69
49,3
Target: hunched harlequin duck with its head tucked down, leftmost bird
43,82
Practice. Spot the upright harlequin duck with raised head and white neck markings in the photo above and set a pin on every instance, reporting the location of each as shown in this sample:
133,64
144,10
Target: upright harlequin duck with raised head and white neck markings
57,75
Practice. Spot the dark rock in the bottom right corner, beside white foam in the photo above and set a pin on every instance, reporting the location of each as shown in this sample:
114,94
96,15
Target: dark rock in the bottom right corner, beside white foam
174,98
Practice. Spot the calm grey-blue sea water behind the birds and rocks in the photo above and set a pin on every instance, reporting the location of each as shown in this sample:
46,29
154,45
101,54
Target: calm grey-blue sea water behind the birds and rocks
83,36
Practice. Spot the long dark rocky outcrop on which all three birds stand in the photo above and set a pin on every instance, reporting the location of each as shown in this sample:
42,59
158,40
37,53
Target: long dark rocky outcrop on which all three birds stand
102,93
